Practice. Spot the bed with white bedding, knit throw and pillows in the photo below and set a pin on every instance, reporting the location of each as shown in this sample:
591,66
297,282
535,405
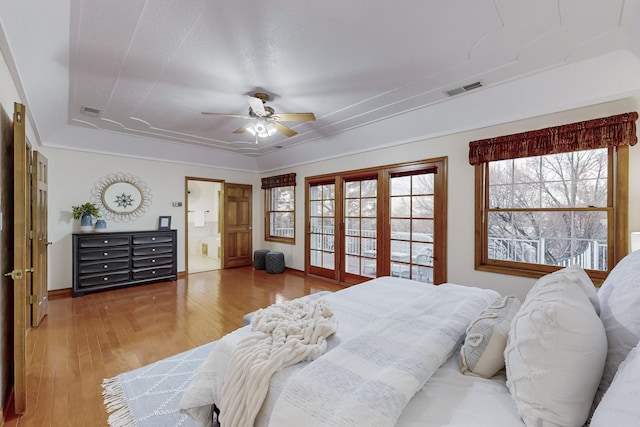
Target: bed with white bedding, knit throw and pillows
393,353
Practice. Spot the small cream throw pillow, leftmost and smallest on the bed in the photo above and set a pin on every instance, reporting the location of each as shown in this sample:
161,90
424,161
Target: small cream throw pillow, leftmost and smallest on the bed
482,353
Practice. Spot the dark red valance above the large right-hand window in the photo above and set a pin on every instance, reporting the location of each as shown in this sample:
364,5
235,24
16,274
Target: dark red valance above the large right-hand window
588,135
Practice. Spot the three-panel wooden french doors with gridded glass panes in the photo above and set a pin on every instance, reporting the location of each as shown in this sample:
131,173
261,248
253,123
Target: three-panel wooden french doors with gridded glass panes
370,223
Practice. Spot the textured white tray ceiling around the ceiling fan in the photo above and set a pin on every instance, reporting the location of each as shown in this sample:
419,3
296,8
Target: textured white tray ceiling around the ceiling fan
151,67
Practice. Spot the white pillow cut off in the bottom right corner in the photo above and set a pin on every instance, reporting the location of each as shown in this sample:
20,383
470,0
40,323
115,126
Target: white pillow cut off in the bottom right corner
619,406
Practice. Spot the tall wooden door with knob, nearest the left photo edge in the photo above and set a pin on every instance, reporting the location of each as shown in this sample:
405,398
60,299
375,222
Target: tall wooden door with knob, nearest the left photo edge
21,253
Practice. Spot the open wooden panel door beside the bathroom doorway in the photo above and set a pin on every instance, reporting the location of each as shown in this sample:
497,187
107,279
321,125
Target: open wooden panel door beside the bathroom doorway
238,230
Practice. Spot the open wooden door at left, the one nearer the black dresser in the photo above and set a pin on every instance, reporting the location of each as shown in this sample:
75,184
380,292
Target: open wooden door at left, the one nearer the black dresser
39,179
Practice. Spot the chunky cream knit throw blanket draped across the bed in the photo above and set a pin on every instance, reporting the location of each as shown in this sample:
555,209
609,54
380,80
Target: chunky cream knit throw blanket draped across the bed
283,334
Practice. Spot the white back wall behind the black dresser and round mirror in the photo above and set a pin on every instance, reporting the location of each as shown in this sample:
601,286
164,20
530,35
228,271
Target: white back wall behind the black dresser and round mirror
73,174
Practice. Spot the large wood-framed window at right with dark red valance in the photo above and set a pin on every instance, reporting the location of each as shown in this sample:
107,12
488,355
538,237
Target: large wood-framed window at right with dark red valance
553,198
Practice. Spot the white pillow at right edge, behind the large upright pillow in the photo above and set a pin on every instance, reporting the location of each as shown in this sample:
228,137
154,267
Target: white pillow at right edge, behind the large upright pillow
619,298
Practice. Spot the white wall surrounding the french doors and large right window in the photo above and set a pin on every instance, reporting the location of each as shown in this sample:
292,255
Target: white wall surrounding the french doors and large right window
461,186
